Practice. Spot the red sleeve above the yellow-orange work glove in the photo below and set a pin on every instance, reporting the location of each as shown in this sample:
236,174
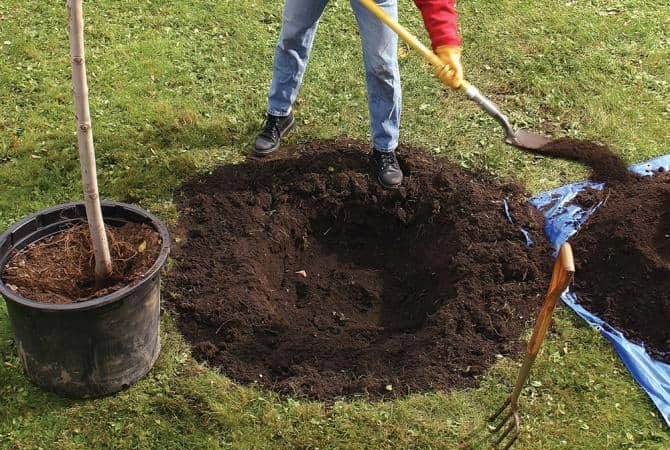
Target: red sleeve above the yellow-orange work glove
441,21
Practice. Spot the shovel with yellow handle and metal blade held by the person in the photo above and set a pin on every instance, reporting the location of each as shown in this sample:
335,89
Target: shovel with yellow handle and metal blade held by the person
518,138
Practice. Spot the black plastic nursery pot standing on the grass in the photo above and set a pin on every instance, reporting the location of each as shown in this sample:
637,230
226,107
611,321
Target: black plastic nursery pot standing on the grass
96,347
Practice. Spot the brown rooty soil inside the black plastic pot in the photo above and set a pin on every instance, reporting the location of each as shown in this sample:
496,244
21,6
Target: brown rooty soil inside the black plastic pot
60,269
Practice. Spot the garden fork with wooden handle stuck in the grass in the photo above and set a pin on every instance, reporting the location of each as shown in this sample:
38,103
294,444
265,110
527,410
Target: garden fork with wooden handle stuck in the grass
506,419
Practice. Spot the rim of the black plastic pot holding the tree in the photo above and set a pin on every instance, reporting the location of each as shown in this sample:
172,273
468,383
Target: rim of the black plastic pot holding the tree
99,301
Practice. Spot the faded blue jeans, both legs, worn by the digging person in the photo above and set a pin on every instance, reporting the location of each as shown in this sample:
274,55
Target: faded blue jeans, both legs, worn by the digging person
300,21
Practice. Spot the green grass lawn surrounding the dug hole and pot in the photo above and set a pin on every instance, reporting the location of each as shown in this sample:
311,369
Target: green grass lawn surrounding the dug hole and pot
178,87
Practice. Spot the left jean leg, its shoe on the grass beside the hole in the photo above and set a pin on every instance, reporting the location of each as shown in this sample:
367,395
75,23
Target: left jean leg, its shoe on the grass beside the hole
299,23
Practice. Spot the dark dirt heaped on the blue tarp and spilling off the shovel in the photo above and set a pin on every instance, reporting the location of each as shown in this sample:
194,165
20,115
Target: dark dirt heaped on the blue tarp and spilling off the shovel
623,252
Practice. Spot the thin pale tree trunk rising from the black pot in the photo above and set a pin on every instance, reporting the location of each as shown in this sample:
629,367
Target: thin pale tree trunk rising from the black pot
103,261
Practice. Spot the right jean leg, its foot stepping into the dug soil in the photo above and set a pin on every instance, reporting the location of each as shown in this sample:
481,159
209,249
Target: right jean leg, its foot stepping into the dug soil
380,52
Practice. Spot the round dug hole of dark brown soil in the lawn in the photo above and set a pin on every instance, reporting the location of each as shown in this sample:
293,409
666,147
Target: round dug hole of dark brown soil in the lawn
300,273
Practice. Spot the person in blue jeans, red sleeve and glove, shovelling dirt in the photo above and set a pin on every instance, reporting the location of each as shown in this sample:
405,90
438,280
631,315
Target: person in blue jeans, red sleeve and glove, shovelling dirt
299,24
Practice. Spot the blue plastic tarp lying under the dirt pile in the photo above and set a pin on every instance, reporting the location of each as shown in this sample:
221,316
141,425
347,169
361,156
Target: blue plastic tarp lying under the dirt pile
562,220
